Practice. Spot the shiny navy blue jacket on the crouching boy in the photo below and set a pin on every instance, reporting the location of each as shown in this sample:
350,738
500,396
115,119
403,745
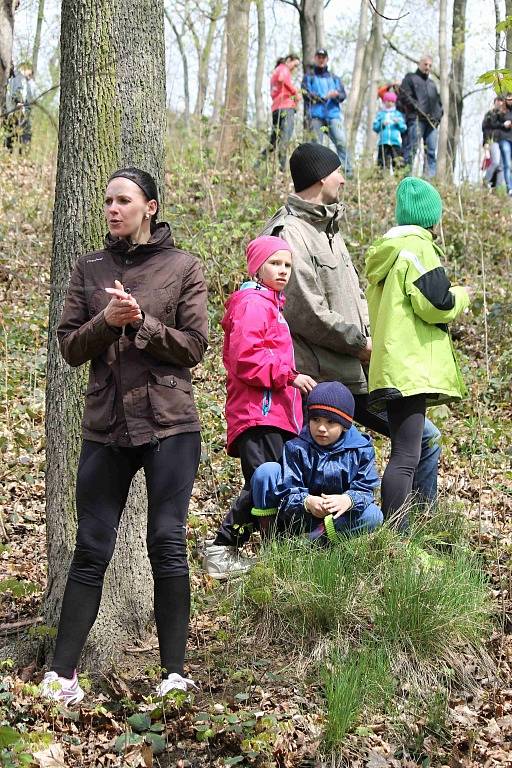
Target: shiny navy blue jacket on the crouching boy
346,466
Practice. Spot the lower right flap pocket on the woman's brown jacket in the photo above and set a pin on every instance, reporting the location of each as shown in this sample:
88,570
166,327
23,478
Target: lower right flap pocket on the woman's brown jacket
171,399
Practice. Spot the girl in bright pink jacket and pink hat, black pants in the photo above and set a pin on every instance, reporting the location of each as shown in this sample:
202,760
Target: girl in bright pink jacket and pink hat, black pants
263,404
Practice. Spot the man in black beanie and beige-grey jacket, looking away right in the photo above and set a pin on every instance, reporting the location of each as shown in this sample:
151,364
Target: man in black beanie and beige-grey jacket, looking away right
326,309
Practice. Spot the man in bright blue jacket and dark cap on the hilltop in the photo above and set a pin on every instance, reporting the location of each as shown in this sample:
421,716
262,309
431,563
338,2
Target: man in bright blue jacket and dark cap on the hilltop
323,93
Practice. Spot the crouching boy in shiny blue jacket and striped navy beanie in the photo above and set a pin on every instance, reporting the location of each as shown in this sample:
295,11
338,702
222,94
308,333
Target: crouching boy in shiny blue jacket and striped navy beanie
325,482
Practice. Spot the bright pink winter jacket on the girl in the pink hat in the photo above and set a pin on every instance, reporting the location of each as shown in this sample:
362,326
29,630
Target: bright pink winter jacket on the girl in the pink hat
258,358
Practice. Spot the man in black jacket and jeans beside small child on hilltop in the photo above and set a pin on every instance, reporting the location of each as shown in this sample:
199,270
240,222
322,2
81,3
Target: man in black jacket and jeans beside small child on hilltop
420,98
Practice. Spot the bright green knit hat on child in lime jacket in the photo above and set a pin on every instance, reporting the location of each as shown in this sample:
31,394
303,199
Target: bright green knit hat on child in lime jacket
418,202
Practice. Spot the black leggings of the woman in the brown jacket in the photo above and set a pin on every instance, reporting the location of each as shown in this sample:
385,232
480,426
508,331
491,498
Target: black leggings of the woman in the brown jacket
103,481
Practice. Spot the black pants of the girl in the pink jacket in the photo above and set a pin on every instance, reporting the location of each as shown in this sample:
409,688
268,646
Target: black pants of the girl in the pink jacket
255,445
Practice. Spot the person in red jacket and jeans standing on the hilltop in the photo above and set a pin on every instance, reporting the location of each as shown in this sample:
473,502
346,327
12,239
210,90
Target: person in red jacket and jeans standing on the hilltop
285,97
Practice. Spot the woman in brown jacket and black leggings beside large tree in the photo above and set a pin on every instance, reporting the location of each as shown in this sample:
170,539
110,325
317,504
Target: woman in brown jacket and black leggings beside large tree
136,310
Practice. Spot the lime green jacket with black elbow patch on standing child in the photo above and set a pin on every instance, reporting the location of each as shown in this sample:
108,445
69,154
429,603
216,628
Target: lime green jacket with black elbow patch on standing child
410,300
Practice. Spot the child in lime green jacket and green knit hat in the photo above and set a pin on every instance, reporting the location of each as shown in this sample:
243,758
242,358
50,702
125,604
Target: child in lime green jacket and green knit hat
412,365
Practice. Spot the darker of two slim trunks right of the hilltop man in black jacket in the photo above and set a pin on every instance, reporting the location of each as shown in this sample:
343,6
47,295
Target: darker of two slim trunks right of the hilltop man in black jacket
456,80
